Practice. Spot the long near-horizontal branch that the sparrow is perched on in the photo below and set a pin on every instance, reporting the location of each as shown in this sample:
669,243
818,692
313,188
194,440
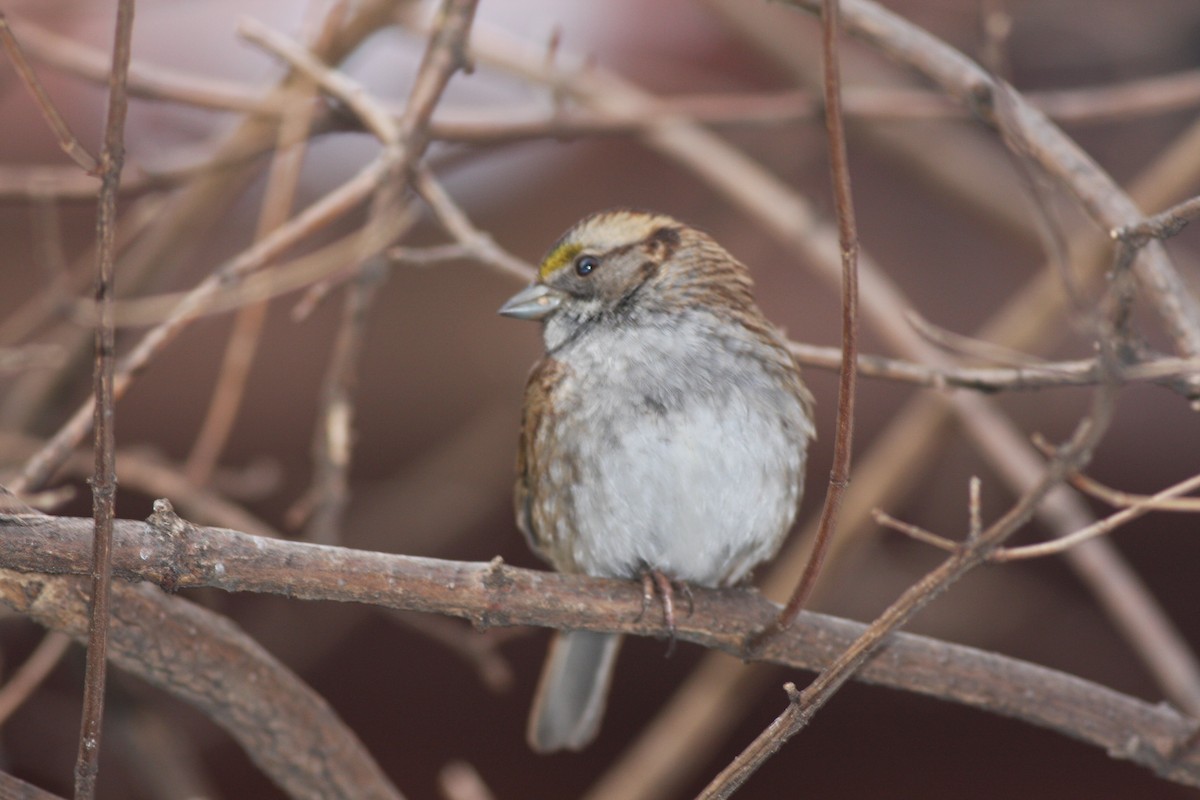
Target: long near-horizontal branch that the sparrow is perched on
176,555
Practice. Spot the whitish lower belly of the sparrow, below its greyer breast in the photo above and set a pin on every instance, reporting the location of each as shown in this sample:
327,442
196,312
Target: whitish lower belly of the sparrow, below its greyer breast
701,494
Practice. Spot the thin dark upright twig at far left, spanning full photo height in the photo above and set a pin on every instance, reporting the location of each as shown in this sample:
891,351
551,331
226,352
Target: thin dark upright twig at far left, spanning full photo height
104,484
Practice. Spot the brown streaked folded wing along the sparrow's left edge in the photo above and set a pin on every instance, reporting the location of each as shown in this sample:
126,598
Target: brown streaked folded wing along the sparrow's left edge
536,413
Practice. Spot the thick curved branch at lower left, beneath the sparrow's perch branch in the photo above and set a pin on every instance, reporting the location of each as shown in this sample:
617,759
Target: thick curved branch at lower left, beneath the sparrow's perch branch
202,658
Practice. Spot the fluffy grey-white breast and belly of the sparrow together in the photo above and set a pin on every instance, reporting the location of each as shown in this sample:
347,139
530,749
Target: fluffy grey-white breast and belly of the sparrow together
693,468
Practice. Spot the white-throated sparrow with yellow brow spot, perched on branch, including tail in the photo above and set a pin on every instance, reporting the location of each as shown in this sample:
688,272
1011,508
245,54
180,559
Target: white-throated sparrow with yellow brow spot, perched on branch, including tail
664,431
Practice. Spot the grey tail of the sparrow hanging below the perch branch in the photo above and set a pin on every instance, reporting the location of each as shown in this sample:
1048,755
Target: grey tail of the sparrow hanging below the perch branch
573,691
